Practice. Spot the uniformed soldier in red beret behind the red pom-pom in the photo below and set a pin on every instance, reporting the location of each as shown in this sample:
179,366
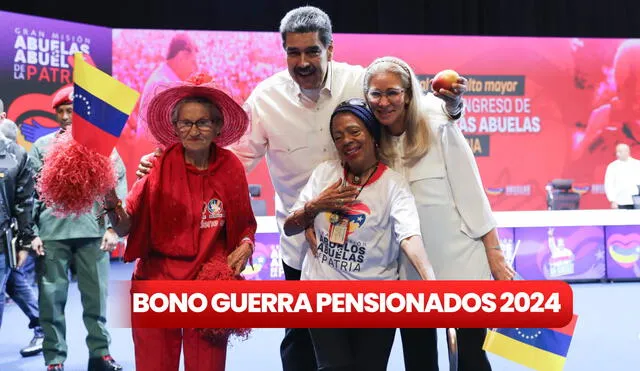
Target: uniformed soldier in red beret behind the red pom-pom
83,240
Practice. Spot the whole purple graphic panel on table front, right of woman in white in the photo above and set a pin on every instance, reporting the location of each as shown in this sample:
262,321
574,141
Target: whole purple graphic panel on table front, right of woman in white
560,253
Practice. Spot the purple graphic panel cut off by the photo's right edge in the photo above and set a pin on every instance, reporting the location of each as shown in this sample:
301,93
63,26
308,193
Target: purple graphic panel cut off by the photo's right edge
623,251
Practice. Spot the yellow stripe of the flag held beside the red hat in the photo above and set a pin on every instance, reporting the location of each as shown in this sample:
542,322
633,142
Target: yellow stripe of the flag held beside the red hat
103,86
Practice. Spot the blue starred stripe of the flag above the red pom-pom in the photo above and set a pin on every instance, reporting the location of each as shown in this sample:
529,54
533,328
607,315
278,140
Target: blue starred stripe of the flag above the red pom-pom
98,112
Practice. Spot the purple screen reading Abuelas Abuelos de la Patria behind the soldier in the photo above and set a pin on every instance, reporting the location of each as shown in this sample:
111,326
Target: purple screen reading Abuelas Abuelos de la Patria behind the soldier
38,61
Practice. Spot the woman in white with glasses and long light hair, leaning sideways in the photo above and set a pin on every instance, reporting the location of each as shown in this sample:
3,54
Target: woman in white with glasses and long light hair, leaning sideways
424,143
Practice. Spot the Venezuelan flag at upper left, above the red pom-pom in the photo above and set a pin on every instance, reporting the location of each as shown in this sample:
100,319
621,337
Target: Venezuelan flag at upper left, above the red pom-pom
101,107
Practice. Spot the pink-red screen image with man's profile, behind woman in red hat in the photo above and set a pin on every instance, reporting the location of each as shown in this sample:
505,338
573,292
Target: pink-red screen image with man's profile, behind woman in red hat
237,61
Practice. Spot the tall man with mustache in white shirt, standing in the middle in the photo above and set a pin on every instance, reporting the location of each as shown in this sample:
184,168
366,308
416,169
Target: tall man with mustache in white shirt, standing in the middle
290,113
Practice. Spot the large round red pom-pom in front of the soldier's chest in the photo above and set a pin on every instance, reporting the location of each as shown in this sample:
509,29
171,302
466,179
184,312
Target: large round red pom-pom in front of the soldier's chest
73,177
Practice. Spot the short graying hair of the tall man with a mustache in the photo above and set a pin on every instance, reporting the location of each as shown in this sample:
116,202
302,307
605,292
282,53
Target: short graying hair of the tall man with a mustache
307,19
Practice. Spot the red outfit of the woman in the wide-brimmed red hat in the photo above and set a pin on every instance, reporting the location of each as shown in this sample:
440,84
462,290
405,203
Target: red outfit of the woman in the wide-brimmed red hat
184,219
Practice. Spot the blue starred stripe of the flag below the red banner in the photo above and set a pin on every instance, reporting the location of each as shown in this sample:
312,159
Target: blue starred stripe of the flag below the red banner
542,338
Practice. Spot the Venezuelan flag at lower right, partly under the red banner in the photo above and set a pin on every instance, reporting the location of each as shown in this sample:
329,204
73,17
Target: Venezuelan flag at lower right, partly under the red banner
542,349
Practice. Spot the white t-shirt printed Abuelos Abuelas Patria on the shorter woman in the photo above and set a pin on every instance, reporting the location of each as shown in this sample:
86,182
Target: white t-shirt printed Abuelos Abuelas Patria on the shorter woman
384,216
